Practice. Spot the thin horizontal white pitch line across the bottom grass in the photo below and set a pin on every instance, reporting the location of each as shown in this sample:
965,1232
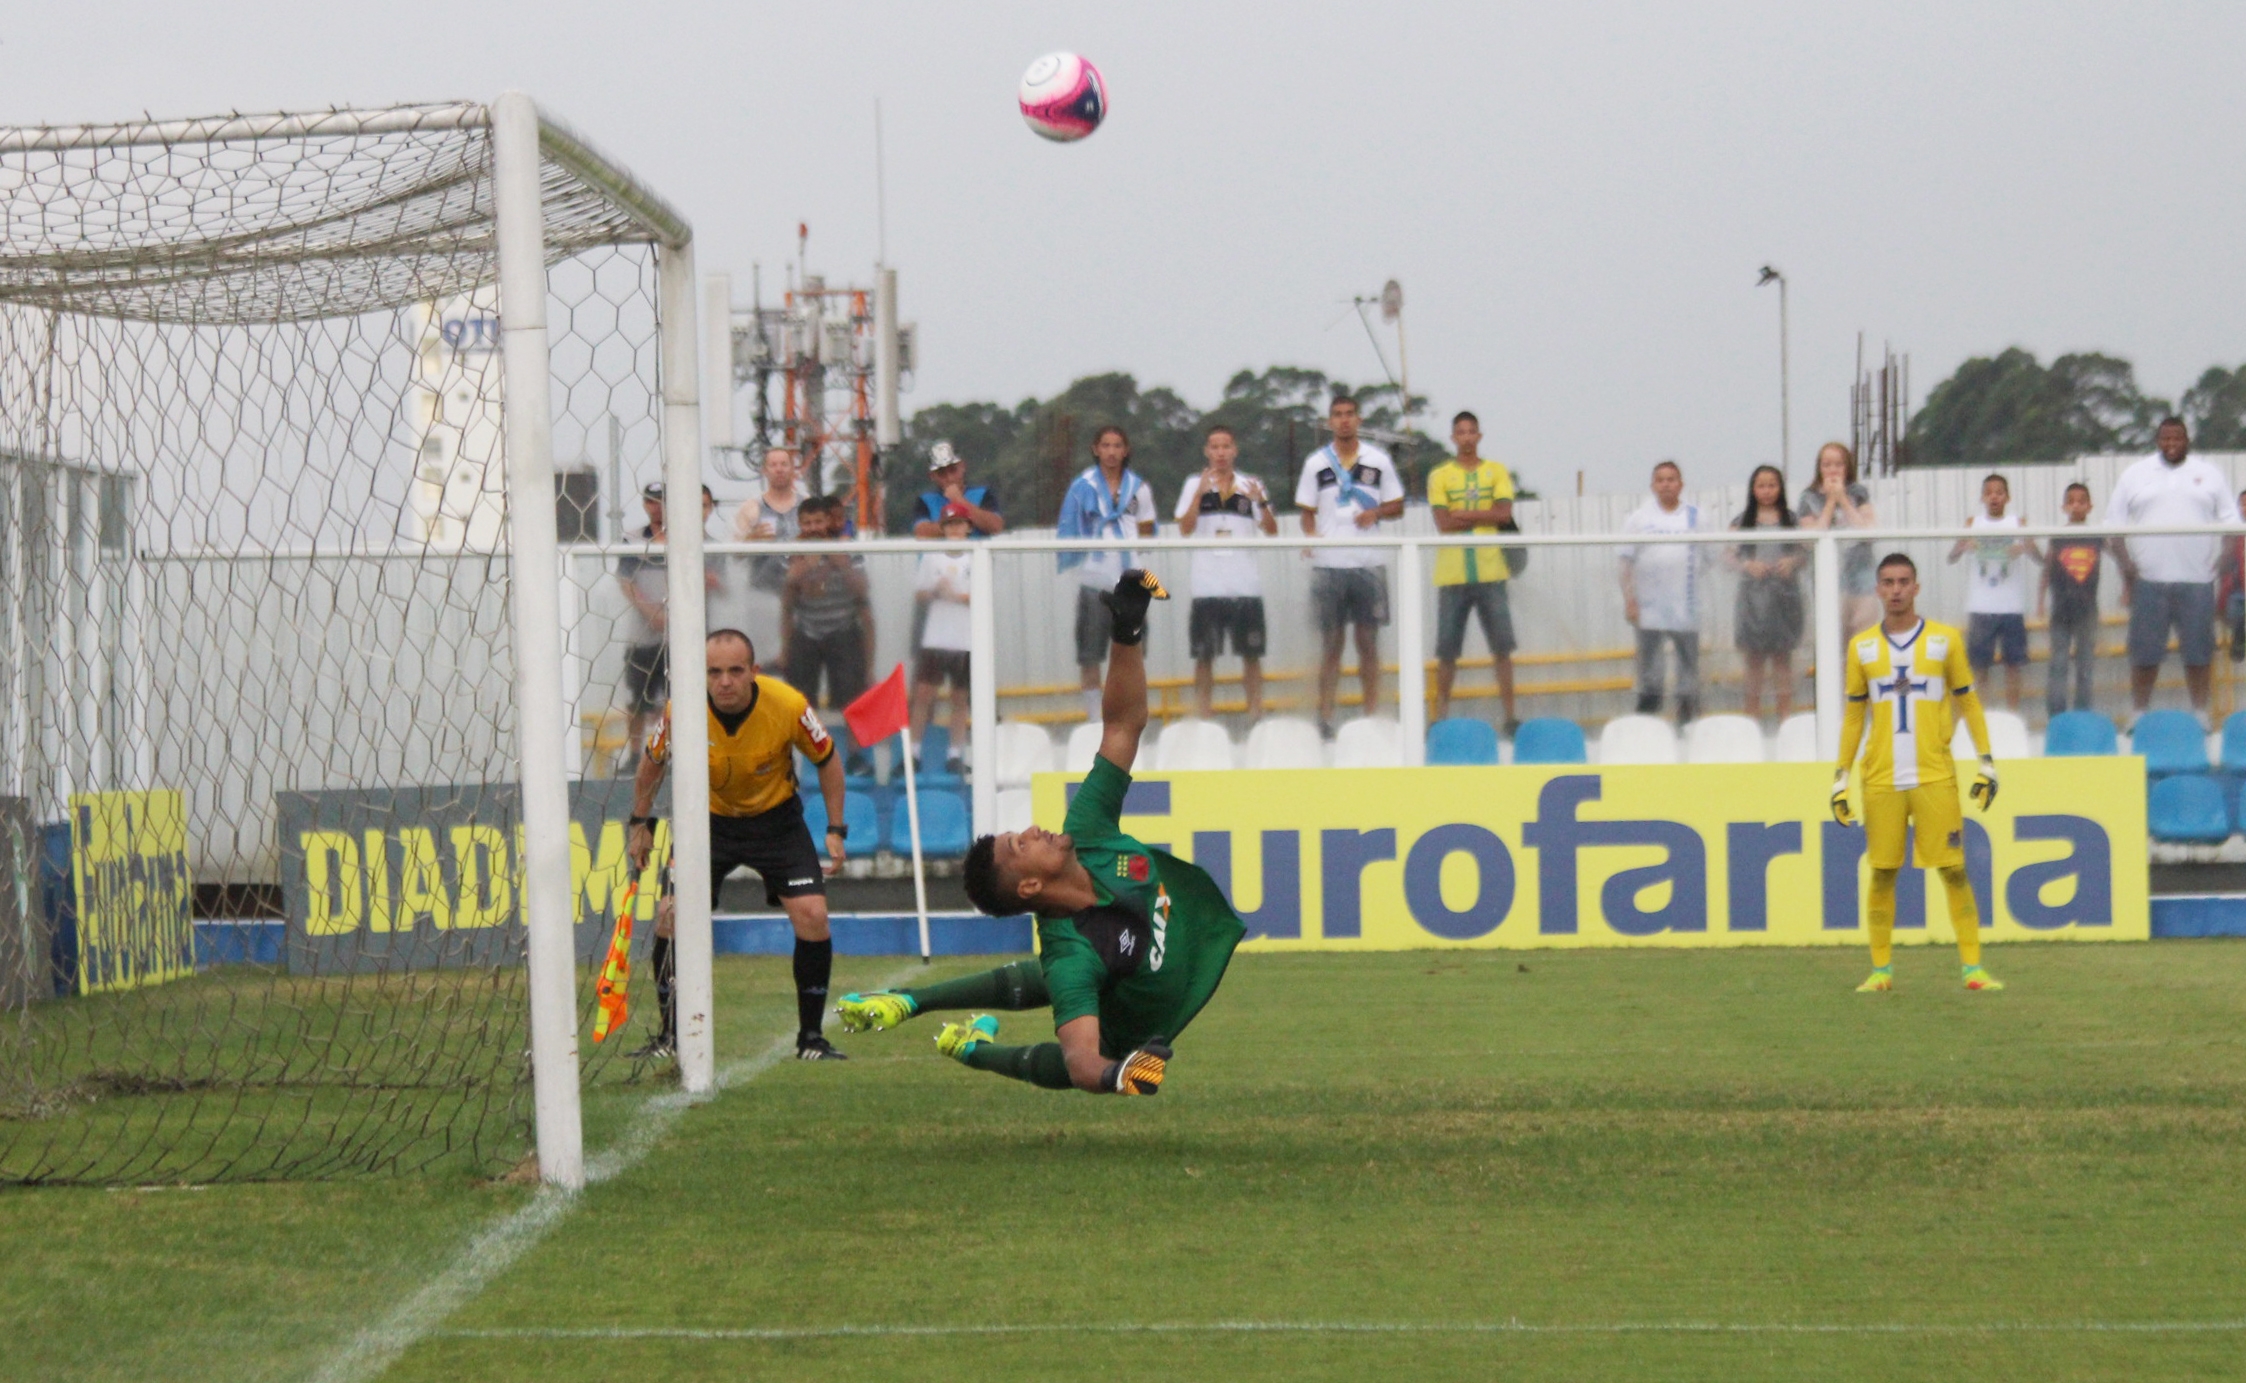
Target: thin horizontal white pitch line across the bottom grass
1355,1328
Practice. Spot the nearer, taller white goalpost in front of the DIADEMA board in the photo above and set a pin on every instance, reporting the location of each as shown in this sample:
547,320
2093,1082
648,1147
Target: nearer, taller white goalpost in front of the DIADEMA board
518,203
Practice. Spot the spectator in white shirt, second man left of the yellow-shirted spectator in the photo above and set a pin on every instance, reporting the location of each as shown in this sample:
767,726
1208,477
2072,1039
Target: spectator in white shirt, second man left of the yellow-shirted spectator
1227,587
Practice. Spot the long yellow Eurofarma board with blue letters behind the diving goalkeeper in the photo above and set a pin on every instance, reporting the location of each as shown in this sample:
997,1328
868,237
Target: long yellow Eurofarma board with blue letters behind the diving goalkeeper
1627,857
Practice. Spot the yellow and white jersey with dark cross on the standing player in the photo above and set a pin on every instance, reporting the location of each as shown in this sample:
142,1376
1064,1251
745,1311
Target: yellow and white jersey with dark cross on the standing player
1906,697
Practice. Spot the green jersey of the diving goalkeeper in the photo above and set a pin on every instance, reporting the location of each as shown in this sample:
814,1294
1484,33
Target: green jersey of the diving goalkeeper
1149,955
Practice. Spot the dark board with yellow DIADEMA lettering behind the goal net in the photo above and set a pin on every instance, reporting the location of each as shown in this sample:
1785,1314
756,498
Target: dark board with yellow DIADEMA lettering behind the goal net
408,879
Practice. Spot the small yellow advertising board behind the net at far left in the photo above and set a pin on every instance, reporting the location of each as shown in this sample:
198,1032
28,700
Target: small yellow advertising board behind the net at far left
134,890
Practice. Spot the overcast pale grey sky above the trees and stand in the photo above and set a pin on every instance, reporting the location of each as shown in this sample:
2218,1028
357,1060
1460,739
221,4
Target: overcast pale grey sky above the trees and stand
1576,199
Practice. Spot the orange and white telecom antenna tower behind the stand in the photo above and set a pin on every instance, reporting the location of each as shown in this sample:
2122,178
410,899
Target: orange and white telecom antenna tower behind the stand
837,356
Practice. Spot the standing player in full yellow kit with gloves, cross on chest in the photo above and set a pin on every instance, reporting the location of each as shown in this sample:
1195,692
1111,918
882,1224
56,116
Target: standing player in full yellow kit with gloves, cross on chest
1908,684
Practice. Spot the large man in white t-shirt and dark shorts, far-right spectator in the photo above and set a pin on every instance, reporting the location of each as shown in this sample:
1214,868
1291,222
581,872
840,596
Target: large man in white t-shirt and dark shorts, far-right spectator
2169,580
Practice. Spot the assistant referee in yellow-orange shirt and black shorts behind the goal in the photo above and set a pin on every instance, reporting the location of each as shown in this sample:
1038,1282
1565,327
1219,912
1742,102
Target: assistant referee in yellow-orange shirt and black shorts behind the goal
758,821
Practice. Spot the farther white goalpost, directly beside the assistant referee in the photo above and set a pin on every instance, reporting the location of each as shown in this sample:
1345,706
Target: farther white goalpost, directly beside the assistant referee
691,729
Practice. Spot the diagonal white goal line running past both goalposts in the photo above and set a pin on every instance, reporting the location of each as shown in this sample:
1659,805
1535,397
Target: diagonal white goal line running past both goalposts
495,1249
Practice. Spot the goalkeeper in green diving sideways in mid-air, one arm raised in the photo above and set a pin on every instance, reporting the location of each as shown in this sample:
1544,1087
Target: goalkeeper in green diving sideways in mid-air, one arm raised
1133,942
